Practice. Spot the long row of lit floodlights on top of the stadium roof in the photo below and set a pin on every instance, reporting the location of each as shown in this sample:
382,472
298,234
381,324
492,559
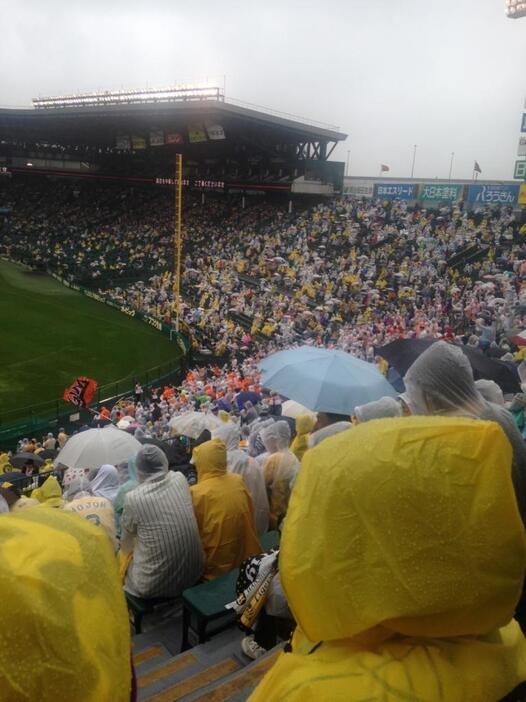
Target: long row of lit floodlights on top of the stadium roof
185,93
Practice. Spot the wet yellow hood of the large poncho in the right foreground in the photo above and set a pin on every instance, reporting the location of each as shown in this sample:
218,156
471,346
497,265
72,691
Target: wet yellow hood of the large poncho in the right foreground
399,539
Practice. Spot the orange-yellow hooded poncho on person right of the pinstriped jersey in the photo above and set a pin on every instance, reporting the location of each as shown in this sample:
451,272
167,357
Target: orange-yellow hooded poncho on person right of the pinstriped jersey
223,510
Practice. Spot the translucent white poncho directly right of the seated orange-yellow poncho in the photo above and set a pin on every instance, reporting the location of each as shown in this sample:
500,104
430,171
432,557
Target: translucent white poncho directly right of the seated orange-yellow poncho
238,461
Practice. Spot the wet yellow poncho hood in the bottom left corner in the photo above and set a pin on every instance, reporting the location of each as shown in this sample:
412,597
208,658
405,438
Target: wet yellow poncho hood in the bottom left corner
65,633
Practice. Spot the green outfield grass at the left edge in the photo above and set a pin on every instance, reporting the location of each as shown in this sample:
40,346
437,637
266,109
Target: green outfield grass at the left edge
49,335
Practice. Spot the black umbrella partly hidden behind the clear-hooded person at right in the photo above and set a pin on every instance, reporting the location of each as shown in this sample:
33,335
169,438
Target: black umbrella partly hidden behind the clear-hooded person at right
402,353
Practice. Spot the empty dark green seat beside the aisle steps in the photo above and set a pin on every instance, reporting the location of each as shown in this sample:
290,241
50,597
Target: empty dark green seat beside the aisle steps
205,603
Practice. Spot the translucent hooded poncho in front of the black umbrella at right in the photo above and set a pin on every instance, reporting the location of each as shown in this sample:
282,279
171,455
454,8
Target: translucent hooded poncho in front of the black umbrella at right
441,382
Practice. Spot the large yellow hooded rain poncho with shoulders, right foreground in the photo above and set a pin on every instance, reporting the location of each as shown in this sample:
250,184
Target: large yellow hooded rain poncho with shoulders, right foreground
402,558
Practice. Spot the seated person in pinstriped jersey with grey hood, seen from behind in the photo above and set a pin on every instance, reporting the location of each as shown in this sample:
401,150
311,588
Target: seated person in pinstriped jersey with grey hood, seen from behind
160,531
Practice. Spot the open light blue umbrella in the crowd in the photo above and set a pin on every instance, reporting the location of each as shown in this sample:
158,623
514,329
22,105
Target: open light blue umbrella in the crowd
324,380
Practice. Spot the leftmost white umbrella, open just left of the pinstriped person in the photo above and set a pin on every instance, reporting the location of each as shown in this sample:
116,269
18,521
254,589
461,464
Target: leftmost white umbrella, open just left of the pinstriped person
95,447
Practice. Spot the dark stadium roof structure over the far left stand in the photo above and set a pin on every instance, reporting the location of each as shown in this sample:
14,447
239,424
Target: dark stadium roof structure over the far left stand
237,146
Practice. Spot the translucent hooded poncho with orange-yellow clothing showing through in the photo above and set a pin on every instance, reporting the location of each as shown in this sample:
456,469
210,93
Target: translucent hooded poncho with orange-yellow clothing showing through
280,469
